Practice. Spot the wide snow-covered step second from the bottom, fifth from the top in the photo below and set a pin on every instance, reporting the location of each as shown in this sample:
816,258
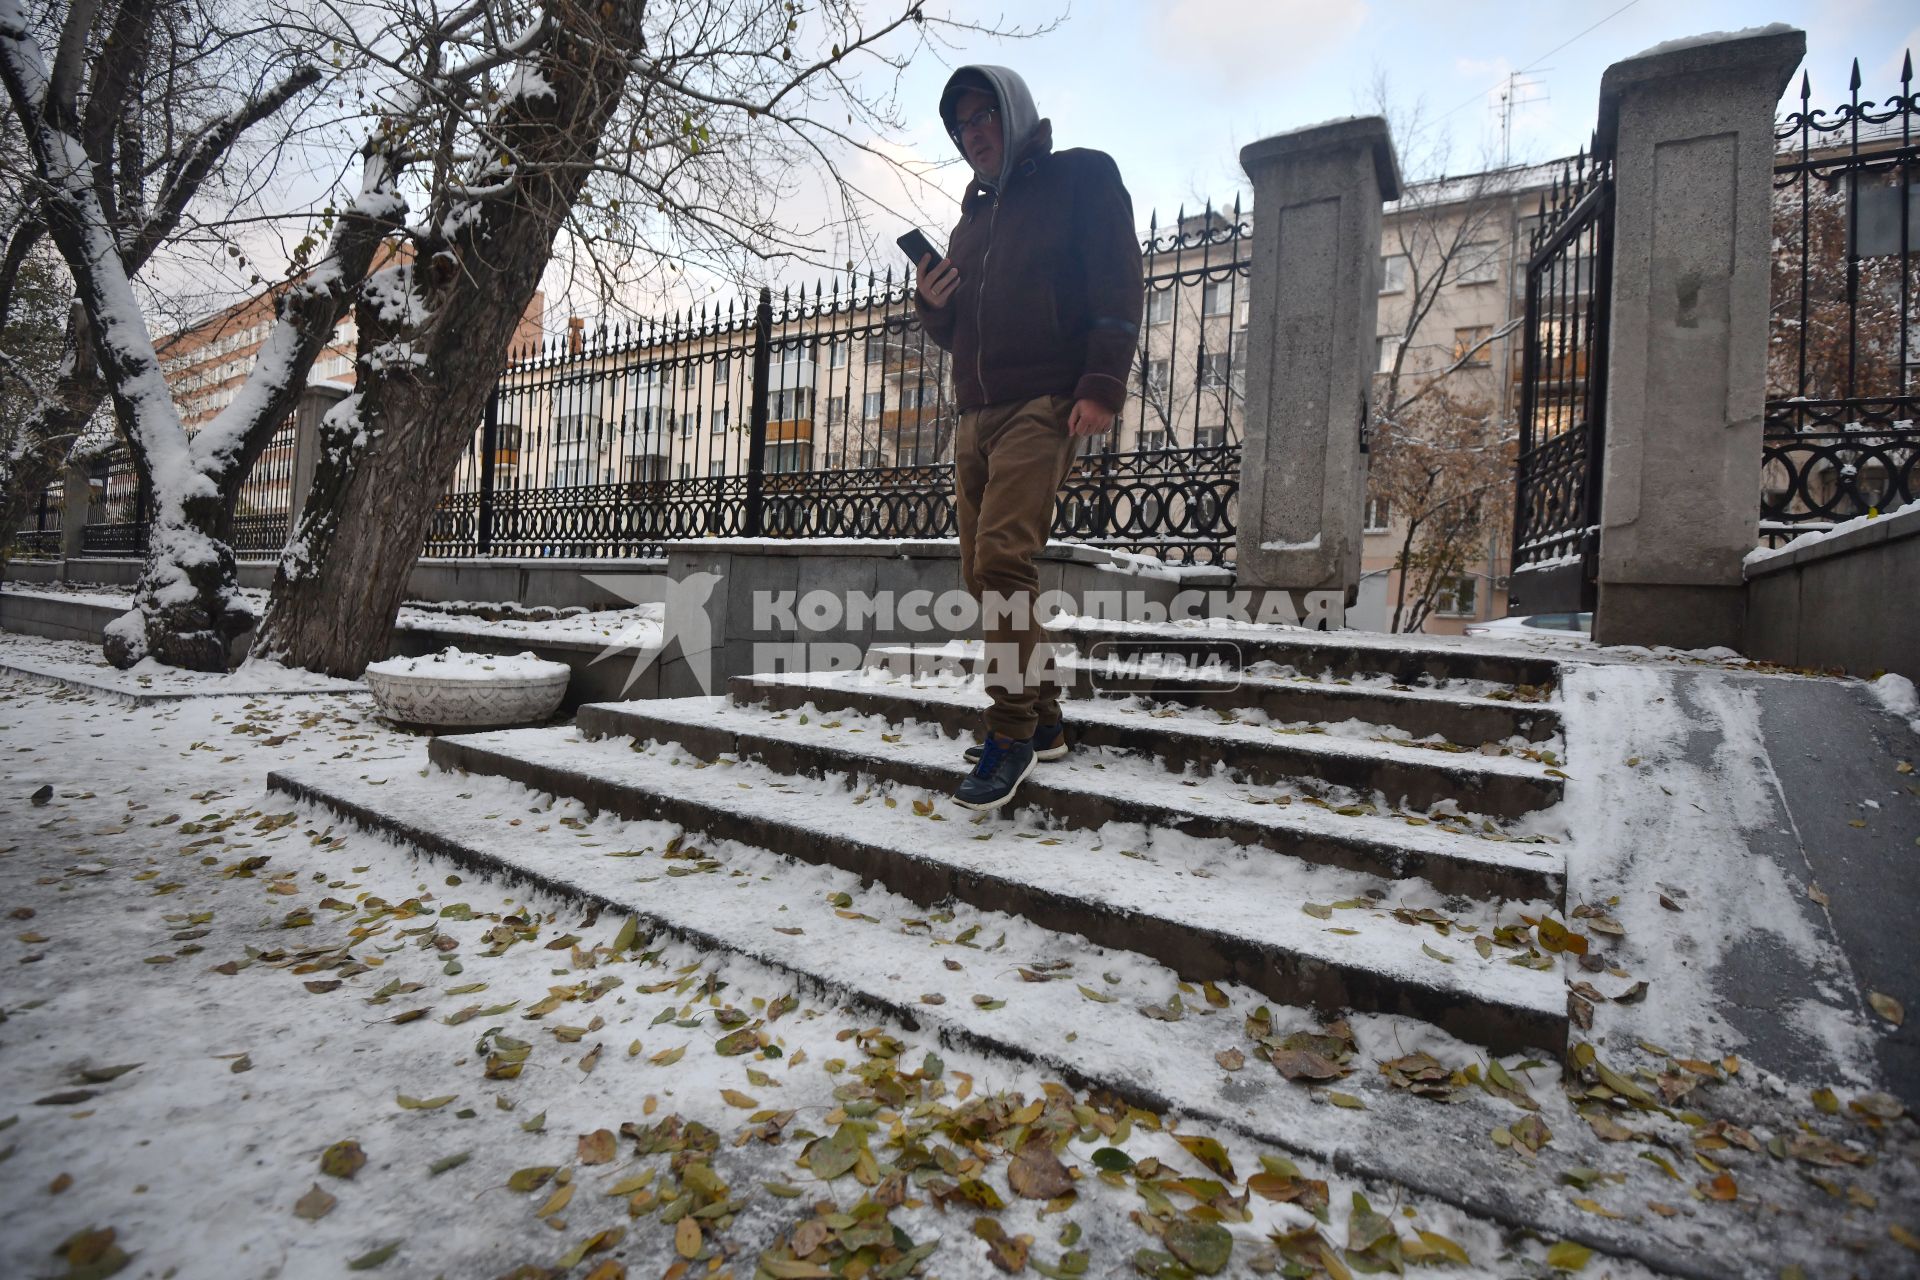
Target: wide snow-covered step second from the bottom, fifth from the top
1205,909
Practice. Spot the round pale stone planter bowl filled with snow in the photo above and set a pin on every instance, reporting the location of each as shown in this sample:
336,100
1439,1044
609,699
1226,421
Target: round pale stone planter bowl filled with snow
468,690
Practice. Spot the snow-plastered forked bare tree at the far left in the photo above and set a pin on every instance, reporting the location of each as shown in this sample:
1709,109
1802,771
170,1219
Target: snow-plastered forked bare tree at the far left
120,80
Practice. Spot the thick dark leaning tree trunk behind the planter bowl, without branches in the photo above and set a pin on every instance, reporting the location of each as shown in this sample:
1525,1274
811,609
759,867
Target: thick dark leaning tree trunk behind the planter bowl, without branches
423,379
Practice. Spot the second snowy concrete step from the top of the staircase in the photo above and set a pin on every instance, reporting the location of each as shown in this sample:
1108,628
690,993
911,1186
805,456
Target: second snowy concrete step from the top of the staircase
1285,699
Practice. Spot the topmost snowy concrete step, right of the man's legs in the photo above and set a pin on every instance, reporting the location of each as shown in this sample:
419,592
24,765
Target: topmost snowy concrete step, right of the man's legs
1330,655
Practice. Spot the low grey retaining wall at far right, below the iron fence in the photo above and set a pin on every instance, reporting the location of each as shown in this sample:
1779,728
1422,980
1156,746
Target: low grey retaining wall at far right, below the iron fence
1844,602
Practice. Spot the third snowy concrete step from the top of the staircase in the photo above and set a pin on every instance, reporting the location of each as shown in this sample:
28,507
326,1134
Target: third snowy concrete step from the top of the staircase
1502,788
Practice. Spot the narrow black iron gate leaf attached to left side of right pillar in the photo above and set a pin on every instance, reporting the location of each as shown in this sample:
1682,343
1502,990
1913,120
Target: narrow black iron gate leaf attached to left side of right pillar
1564,391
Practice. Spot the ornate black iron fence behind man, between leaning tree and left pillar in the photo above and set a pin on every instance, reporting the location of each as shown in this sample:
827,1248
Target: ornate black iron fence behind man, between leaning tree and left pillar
830,415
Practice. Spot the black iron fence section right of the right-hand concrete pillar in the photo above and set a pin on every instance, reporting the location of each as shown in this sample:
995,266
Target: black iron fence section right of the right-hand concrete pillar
1842,415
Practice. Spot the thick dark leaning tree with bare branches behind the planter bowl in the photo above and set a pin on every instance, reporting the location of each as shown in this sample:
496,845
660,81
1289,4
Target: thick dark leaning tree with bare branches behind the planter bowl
661,133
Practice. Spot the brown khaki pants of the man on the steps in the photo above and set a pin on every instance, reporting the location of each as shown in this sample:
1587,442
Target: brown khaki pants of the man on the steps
1009,465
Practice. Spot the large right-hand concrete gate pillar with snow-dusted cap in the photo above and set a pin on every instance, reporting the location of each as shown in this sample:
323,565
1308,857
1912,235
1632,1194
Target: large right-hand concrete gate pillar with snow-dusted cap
1691,131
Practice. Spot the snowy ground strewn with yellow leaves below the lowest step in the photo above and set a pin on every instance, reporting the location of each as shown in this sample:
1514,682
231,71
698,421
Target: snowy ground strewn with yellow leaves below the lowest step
210,991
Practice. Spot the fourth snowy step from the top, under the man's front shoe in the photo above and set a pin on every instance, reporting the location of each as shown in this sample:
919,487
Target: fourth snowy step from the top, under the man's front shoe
1095,788
